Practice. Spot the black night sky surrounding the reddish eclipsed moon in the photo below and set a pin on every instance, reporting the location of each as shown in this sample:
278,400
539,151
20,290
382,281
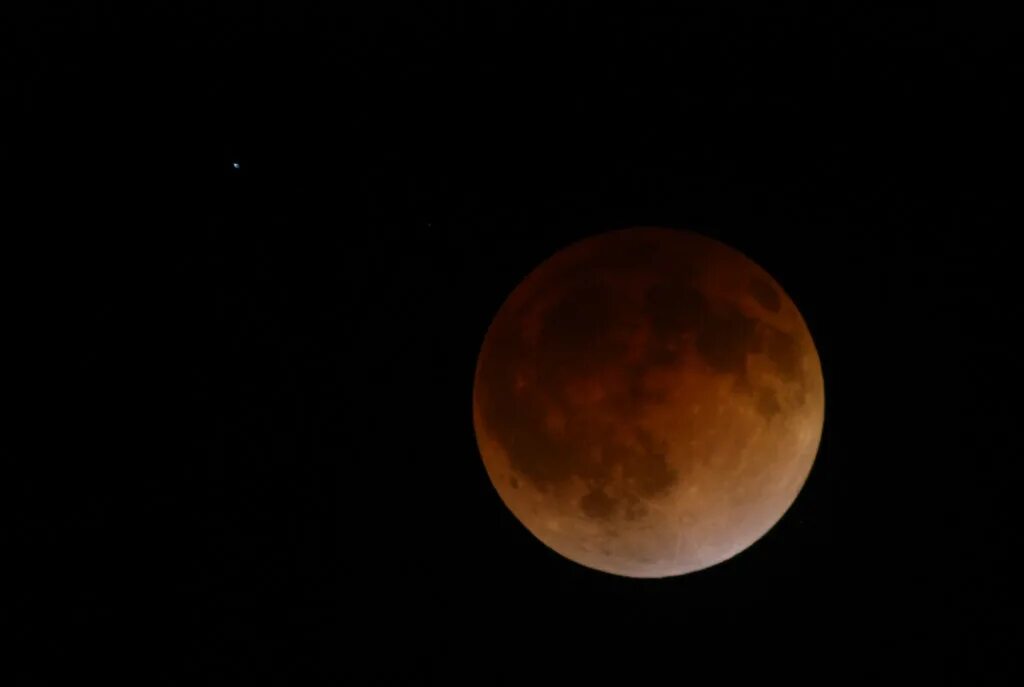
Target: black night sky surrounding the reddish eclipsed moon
264,243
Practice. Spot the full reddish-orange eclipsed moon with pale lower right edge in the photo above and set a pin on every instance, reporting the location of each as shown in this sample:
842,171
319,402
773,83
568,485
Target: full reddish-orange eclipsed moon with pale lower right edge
649,403
